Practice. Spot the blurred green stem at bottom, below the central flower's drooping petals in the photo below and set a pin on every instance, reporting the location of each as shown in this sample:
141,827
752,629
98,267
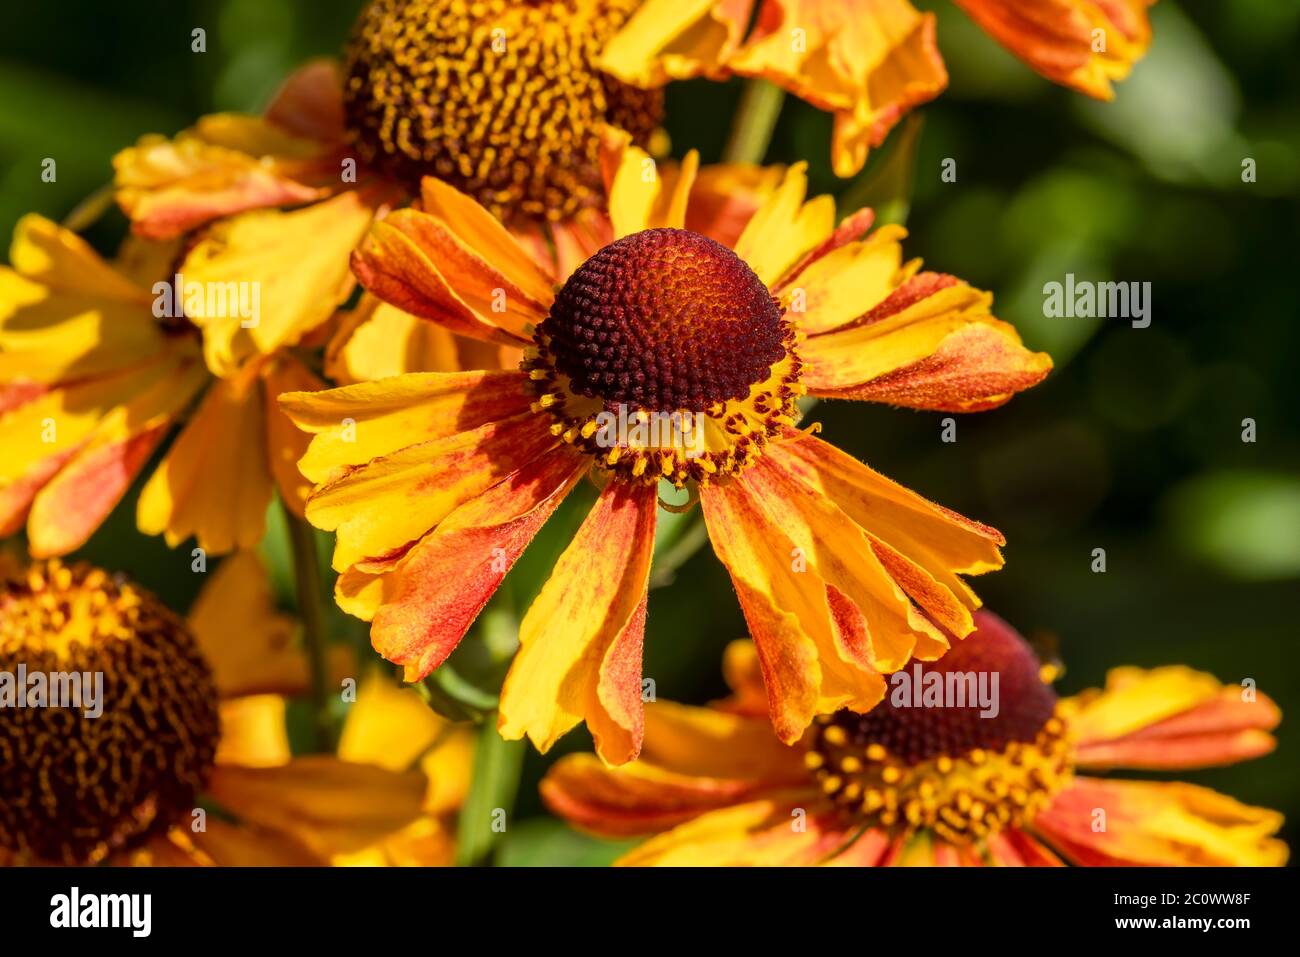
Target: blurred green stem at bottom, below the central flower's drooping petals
493,789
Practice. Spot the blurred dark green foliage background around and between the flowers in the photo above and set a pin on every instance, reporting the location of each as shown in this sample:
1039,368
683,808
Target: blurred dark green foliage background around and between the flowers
1134,444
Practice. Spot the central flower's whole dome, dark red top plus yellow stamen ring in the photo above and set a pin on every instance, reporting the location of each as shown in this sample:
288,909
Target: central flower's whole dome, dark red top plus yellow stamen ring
666,357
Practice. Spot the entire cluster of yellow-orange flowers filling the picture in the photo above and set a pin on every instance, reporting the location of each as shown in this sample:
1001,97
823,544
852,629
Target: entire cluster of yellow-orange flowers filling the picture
527,270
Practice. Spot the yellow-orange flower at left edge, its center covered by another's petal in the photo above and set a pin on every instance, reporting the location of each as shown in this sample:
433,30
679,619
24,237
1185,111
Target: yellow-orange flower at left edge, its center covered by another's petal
93,380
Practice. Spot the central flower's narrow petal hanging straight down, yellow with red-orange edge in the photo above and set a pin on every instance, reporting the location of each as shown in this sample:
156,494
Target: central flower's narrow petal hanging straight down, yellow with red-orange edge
580,642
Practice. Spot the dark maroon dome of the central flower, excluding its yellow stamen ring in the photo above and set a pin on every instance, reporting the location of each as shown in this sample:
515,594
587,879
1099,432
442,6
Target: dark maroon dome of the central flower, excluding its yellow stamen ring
665,319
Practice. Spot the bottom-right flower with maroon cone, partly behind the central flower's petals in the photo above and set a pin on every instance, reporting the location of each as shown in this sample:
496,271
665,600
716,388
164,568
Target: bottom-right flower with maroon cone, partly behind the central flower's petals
911,785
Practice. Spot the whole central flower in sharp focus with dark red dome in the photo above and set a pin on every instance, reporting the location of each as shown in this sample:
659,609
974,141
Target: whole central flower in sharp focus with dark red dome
436,483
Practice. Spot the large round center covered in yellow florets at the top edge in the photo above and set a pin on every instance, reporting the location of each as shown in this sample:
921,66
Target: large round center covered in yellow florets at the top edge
500,98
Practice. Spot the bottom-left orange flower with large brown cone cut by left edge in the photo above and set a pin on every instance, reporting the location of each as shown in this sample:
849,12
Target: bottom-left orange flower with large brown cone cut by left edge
198,714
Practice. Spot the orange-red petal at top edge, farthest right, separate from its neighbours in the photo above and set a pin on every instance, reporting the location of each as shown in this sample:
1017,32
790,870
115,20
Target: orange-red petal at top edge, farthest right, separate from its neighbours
1058,38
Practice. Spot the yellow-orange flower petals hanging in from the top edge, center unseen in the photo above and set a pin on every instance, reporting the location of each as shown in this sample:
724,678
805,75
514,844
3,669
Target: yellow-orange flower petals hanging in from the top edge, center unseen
870,62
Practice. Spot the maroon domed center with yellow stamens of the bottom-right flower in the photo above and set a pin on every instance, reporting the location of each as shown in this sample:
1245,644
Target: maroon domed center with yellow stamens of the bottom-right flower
964,747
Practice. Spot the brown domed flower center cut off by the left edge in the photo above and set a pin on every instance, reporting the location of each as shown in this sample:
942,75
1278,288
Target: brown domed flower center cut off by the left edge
110,725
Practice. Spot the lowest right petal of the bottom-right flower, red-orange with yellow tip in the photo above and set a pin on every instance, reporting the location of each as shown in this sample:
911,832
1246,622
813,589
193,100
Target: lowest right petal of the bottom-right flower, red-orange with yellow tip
1167,825
